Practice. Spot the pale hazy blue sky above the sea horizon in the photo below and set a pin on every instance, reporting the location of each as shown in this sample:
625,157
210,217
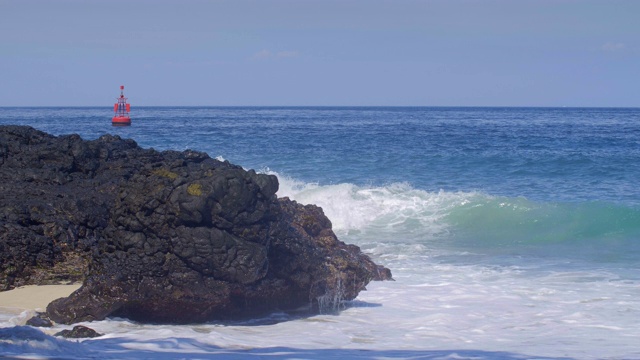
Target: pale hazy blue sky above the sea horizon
320,52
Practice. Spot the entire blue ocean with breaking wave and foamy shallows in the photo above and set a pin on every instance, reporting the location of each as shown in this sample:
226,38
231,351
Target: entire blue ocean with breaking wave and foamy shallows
512,233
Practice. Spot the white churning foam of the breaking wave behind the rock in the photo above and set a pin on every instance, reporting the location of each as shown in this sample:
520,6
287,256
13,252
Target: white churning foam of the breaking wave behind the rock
396,208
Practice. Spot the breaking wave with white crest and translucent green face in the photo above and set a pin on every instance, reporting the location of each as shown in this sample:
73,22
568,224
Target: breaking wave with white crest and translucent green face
398,212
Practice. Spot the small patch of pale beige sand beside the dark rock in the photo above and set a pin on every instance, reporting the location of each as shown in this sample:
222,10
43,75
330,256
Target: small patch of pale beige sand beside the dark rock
34,297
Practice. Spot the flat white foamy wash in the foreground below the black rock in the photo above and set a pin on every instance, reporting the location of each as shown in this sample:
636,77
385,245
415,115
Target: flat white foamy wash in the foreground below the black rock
474,310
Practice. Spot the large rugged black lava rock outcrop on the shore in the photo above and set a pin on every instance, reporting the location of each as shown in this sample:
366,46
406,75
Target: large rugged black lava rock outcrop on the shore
170,237
